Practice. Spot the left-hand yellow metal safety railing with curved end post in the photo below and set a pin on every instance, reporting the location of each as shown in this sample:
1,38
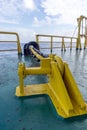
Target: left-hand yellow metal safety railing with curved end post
13,41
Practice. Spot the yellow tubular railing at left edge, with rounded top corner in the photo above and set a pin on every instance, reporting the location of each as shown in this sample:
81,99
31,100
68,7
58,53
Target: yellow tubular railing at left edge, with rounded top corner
17,41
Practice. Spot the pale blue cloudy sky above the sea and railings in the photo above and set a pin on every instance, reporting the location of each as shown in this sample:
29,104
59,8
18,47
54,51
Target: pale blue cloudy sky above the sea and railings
31,17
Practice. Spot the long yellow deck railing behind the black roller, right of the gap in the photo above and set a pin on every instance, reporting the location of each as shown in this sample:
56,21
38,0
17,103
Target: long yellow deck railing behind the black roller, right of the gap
62,40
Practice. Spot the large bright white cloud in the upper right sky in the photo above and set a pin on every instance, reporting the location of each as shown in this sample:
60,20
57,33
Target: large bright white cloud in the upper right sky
66,9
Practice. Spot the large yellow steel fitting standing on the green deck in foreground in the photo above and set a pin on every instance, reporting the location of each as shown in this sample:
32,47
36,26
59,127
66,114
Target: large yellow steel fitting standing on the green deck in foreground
61,87
